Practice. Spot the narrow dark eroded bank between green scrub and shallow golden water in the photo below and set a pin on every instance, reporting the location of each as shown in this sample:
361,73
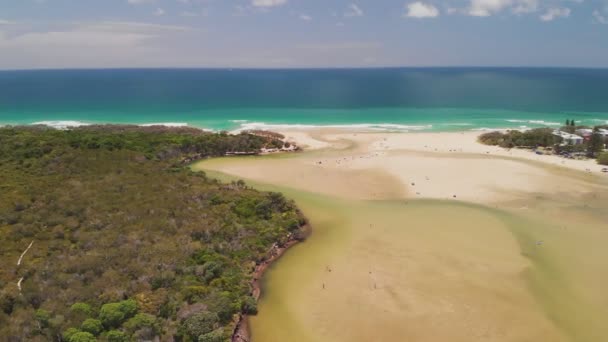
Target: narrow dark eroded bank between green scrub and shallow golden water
242,332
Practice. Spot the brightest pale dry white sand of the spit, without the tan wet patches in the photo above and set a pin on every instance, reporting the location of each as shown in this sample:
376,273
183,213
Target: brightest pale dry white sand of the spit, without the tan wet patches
439,165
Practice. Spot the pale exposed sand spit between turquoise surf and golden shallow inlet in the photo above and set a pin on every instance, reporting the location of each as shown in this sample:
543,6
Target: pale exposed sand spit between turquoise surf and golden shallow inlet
418,165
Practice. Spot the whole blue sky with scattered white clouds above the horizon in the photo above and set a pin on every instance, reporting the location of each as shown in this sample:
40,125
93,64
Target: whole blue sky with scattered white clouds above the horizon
302,33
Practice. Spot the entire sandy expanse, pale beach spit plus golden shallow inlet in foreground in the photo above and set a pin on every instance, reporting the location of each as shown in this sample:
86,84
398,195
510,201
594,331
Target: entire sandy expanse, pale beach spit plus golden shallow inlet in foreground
432,237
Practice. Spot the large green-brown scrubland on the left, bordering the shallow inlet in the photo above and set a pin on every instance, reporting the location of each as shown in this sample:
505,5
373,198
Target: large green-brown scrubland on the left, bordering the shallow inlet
109,236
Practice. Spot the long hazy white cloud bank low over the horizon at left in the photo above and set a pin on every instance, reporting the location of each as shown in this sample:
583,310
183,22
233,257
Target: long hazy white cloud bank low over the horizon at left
96,44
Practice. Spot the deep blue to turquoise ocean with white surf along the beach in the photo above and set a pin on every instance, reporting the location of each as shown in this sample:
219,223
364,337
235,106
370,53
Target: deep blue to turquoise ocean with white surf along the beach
389,99
